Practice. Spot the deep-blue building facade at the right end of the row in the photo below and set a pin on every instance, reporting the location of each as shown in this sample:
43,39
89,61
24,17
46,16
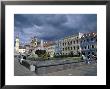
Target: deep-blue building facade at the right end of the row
88,43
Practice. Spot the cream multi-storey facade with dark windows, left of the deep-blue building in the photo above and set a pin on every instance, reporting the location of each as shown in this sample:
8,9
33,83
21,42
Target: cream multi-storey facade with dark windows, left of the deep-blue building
70,45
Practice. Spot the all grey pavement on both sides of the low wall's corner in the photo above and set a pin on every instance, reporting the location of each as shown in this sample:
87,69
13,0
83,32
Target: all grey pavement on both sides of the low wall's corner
81,70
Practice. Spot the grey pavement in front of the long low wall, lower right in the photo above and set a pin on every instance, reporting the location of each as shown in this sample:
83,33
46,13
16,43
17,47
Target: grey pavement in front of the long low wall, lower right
81,70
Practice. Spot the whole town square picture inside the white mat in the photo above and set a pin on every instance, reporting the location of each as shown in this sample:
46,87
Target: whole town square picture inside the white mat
55,45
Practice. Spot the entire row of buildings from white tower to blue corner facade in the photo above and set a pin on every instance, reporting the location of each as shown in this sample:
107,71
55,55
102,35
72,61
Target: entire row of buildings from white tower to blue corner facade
74,44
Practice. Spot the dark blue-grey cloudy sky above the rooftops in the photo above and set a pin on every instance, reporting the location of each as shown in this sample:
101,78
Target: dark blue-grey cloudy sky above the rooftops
52,26
